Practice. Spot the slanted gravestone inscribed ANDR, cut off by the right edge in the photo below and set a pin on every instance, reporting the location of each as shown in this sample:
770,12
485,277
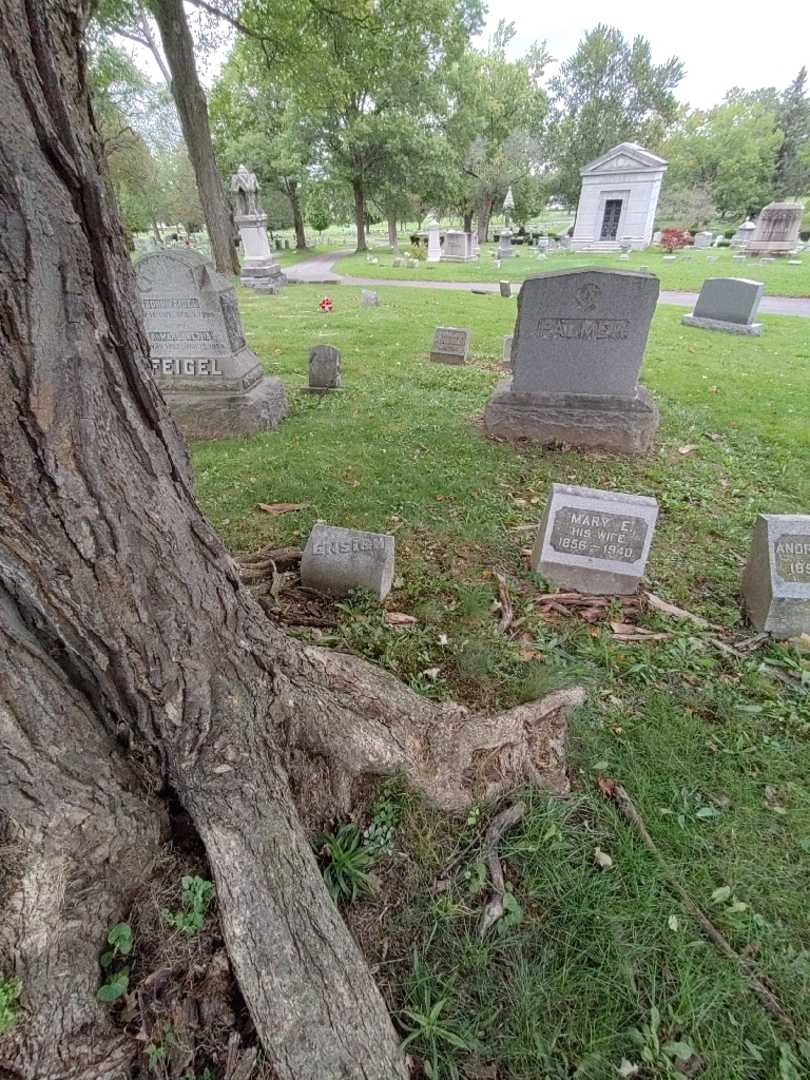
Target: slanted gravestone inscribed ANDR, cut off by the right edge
777,578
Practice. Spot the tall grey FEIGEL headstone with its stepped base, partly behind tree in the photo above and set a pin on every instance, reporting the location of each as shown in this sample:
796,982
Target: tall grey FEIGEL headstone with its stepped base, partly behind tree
213,384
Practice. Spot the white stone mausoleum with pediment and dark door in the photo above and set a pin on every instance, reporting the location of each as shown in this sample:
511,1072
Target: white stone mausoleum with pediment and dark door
618,201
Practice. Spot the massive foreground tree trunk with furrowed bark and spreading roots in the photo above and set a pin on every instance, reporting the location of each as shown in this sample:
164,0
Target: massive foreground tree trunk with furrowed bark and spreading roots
134,666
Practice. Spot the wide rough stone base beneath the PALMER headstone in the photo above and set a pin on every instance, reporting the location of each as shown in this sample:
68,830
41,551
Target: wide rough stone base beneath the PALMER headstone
624,425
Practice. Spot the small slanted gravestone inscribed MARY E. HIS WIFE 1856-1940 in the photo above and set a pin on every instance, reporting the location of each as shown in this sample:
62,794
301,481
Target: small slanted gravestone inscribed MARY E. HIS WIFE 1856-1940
595,542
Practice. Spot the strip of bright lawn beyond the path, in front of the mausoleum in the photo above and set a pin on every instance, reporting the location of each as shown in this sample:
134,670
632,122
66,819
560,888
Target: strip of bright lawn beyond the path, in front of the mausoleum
779,279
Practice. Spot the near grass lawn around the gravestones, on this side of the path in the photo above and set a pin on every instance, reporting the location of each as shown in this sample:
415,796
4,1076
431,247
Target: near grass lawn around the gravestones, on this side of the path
592,966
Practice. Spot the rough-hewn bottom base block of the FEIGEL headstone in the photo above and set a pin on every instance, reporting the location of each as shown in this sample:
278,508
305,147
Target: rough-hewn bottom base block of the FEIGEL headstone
210,414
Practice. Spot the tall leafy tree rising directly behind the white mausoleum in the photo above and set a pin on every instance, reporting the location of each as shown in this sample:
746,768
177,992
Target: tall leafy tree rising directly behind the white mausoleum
609,92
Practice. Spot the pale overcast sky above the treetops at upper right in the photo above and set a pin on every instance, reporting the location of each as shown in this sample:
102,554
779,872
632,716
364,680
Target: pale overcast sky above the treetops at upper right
722,45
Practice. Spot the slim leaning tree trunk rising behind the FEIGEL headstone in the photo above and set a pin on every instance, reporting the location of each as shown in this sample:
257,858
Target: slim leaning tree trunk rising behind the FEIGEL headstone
194,113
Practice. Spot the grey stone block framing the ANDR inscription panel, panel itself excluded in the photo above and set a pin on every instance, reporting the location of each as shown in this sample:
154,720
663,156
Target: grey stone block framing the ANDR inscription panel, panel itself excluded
776,605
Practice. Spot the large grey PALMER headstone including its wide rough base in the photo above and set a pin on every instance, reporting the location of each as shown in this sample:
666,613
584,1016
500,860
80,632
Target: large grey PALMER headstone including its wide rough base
579,344
